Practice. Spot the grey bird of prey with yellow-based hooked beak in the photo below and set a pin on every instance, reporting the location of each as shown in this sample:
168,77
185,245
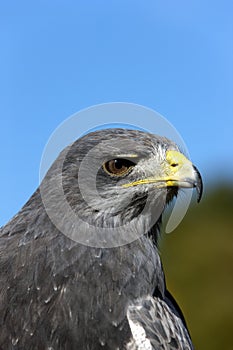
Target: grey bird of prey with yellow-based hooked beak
79,264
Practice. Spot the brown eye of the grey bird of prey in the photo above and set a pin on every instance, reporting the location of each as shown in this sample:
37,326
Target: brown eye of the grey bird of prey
118,167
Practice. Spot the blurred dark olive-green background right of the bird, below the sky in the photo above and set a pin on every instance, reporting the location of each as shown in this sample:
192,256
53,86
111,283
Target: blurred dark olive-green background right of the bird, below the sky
198,261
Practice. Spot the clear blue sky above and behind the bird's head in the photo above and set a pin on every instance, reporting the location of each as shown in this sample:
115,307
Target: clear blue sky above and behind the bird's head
58,57
